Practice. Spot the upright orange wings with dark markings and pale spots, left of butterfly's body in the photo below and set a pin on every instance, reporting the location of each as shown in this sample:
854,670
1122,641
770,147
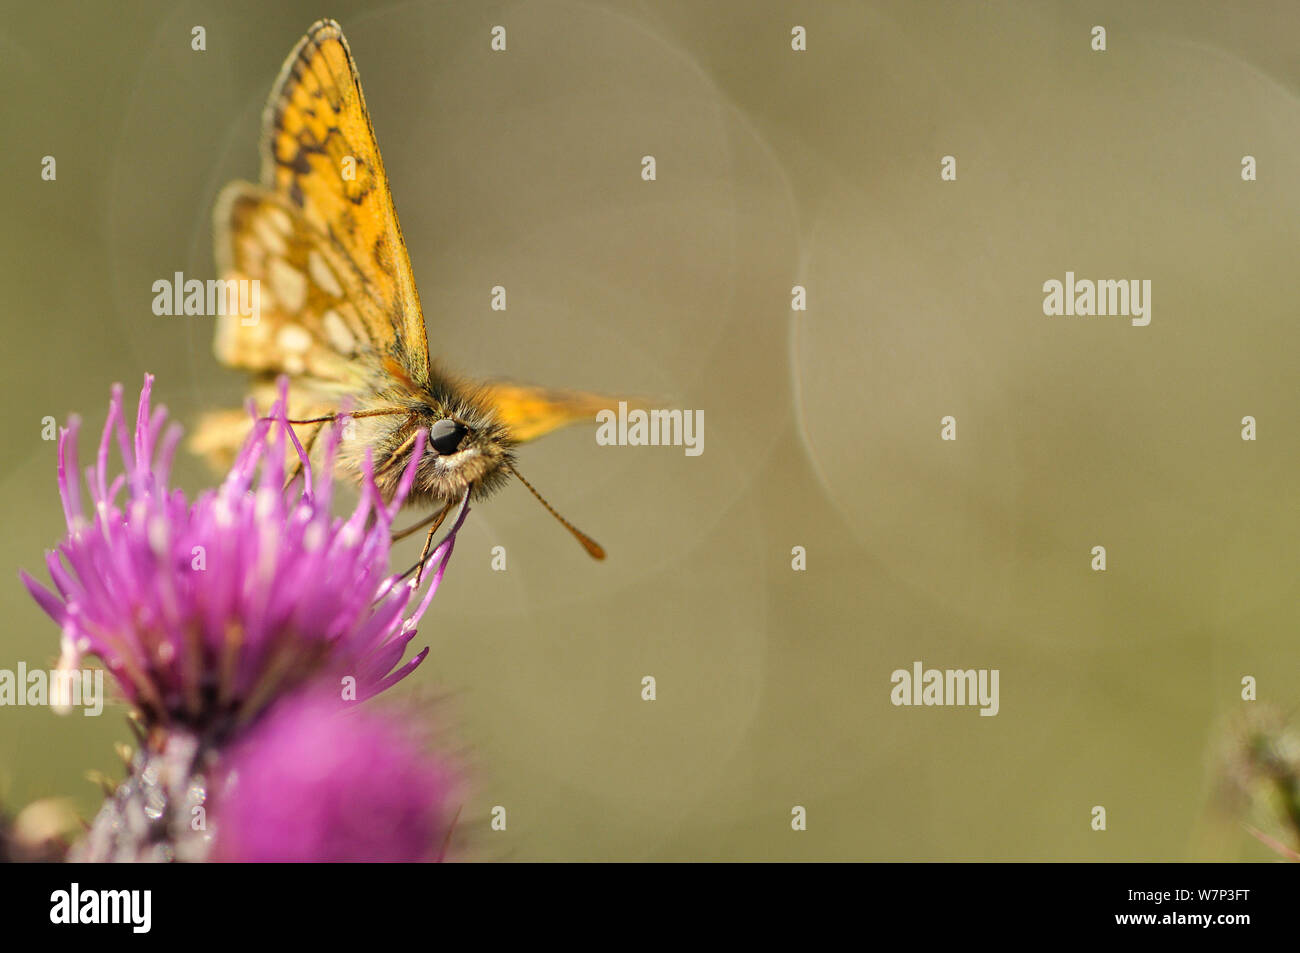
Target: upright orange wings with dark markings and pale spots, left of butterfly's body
320,237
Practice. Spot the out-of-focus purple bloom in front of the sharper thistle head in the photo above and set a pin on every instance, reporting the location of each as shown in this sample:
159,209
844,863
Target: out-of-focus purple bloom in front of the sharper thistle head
317,781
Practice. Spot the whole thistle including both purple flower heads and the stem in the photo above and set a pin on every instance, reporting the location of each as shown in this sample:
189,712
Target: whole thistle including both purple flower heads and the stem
241,627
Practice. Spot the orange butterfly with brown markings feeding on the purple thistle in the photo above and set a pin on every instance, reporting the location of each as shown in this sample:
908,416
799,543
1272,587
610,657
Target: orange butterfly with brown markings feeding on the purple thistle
340,313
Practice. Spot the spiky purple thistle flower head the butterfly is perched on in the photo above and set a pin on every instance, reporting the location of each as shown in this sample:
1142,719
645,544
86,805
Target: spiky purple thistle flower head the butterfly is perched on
206,612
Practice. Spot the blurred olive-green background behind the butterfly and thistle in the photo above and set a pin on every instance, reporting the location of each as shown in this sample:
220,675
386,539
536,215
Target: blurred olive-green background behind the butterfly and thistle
822,428
